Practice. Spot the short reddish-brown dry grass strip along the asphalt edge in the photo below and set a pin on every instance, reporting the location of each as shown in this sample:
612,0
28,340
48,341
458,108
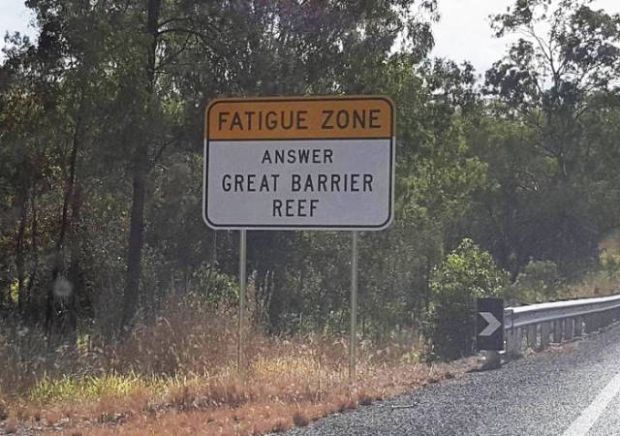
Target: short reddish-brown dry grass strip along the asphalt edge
273,407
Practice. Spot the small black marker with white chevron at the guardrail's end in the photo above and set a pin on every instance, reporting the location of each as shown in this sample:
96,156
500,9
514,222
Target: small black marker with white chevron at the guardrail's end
490,324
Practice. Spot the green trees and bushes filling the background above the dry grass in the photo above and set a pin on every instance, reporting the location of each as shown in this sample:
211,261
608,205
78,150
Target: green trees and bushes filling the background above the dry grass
524,163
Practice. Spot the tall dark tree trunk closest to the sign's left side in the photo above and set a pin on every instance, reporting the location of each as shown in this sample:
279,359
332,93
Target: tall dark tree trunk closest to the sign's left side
140,166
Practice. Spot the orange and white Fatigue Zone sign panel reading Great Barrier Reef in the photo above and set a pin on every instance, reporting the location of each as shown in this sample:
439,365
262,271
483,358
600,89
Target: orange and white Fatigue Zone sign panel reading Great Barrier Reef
299,163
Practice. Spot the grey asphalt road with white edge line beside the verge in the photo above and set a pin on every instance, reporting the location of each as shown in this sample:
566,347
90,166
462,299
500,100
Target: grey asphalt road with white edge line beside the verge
572,392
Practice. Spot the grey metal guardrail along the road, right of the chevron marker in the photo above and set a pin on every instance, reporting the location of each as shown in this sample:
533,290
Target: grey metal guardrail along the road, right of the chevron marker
537,325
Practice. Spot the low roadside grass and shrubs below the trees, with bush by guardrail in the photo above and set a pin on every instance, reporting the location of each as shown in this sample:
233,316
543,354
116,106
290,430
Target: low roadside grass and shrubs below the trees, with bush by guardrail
179,373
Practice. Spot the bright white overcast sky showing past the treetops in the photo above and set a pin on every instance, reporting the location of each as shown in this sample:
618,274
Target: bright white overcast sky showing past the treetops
462,34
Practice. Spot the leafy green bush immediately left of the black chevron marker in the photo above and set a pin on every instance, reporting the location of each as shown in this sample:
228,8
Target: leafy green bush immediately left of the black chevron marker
465,274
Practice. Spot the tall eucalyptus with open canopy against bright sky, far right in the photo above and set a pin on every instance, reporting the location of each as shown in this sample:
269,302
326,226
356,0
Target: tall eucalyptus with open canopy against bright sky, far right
558,82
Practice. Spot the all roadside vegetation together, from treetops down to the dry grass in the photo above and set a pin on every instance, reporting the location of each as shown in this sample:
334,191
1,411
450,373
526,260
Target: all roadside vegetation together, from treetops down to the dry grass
118,304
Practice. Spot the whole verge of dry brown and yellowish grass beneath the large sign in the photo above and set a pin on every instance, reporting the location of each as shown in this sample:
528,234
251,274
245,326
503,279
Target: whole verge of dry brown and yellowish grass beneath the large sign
179,377
